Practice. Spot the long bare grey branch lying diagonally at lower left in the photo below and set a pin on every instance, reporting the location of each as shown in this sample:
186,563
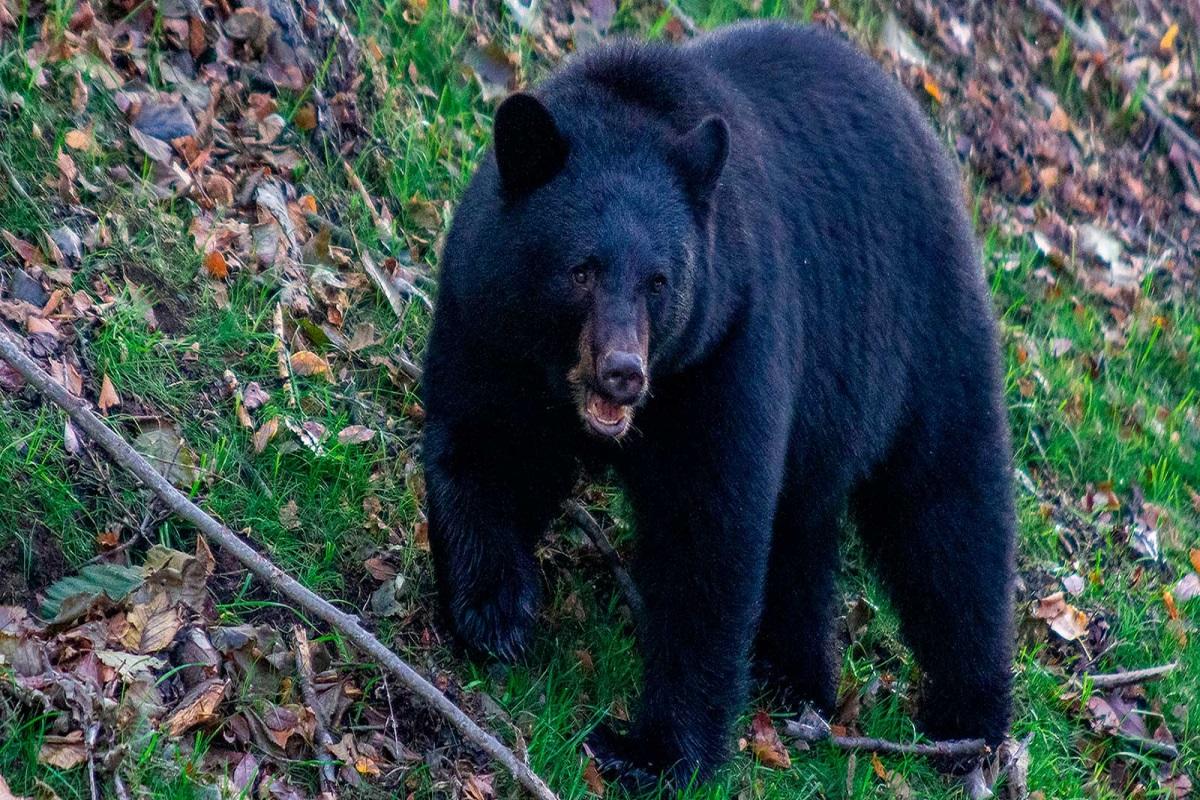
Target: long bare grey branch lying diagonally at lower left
281,582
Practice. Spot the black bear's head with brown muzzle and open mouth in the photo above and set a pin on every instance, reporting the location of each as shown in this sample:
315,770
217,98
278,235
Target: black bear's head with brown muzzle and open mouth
579,245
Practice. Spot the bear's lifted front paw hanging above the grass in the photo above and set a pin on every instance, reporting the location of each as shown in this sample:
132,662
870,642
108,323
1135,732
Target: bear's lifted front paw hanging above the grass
499,622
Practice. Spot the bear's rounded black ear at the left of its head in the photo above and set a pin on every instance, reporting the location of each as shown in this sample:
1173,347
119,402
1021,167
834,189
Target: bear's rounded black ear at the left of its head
530,151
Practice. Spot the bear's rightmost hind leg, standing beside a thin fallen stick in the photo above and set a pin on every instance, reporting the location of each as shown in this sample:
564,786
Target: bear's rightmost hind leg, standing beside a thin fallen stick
938,522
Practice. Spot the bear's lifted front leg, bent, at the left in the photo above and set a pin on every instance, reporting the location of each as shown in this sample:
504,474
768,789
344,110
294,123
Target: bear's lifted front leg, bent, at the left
489,501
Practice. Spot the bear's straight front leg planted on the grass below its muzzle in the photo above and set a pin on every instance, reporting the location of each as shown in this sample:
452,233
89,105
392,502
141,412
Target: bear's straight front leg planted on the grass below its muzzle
704,528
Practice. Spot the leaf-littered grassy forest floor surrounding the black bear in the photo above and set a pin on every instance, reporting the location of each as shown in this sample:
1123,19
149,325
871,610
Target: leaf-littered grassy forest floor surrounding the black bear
190,206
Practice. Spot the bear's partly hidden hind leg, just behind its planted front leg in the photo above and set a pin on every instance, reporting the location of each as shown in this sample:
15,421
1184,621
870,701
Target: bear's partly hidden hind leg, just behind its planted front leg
796,651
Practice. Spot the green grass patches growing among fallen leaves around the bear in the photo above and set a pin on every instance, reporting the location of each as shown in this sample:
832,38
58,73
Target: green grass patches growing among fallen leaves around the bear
1101,413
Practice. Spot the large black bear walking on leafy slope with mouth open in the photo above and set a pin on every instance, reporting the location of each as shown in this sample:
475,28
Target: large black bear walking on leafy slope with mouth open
739,273
